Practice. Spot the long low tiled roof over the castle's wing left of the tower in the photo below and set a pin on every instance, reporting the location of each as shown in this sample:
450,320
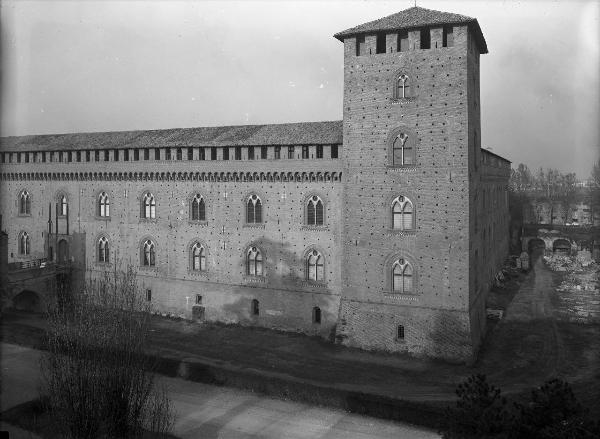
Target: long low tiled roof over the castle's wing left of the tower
275,134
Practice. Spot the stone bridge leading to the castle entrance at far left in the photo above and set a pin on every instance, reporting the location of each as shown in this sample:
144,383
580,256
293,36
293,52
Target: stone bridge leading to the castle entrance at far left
31,285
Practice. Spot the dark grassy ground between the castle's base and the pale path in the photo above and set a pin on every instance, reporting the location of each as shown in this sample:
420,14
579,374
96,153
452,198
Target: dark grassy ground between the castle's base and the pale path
516,356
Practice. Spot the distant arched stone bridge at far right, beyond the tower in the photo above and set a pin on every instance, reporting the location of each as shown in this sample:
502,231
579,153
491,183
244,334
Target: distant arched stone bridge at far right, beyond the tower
560,238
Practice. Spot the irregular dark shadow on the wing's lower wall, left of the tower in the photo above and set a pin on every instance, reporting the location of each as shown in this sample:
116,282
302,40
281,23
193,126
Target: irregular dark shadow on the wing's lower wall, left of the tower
314,311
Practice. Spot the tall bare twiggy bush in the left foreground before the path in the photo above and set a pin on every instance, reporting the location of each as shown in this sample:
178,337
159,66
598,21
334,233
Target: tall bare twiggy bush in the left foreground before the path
95,374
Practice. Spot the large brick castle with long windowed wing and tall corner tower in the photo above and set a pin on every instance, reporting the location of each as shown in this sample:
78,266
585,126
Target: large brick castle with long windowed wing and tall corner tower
383,230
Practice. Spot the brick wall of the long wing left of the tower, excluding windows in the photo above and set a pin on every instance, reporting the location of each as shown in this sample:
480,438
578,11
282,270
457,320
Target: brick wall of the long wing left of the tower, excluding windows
286,298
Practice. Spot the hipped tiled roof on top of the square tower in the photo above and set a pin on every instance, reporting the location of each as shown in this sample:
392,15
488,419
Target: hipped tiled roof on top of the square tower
413,18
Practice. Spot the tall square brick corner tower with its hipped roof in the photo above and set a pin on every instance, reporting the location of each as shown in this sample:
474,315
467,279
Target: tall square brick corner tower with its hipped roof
411,133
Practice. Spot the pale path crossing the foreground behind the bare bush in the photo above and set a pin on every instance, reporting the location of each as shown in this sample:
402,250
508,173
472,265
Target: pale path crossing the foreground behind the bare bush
216,412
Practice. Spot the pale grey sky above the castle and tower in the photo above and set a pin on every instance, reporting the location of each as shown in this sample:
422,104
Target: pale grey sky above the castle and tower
86,66
